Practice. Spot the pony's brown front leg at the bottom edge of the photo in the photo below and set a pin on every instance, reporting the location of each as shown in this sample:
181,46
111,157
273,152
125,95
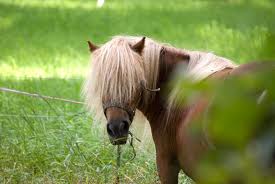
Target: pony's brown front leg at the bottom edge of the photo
168,169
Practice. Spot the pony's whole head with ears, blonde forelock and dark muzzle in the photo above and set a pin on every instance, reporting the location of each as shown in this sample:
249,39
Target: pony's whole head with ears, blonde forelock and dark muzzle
115,84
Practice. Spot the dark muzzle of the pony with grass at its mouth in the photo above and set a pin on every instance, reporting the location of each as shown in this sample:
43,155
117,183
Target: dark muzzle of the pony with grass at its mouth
118,131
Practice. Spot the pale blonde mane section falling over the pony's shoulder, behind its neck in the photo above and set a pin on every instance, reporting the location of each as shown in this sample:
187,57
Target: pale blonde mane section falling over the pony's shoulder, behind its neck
201,65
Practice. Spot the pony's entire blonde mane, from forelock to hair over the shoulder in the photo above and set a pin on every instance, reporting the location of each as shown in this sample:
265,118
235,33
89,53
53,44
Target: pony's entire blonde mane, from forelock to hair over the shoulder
117,72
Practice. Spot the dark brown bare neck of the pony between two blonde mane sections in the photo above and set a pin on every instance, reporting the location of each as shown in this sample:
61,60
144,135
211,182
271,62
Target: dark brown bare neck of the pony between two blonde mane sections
157,110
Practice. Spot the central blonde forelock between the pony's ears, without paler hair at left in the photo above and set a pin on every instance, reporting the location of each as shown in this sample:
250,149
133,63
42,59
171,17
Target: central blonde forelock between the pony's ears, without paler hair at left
120,69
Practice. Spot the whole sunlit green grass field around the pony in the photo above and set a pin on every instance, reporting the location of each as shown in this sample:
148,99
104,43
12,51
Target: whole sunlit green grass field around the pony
43,50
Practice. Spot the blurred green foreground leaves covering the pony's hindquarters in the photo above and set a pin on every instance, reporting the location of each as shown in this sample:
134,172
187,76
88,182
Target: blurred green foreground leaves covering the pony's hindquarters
239,123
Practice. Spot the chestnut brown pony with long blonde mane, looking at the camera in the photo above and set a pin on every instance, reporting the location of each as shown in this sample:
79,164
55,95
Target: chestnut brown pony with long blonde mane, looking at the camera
133,73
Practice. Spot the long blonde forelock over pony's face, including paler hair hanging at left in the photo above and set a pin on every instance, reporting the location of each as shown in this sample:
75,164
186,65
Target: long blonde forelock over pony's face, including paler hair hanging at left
116,74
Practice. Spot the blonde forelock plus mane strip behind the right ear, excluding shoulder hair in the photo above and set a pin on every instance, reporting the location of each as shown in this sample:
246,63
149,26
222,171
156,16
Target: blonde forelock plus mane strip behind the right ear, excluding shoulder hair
117,72
